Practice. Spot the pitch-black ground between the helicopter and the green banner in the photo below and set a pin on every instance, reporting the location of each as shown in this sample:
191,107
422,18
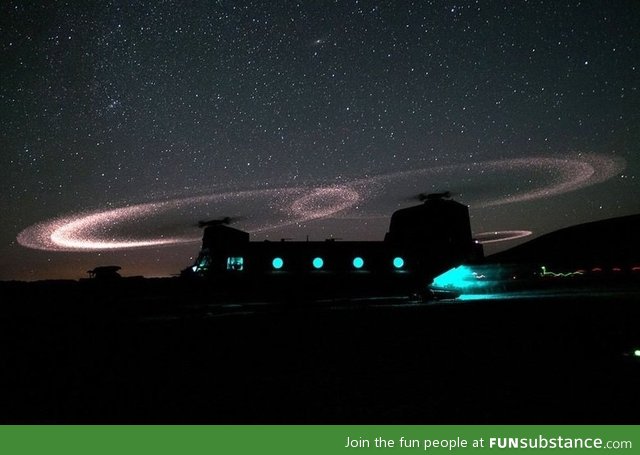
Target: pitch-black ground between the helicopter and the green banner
72,353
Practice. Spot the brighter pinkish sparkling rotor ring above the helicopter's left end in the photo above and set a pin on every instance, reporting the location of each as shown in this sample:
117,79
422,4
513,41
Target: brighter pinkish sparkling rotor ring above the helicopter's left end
94,230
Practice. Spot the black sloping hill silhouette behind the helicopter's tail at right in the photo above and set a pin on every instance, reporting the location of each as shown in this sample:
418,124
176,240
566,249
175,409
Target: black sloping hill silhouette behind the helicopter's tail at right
613,242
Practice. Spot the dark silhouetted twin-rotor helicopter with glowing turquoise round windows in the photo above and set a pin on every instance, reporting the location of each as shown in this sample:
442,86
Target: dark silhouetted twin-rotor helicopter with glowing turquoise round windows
422,242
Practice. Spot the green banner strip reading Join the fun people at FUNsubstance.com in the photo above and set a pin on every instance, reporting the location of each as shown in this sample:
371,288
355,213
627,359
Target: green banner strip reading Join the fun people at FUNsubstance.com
292,439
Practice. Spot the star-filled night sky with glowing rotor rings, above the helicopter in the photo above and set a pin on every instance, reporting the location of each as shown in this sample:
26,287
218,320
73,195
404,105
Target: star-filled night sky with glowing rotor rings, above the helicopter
136,119
